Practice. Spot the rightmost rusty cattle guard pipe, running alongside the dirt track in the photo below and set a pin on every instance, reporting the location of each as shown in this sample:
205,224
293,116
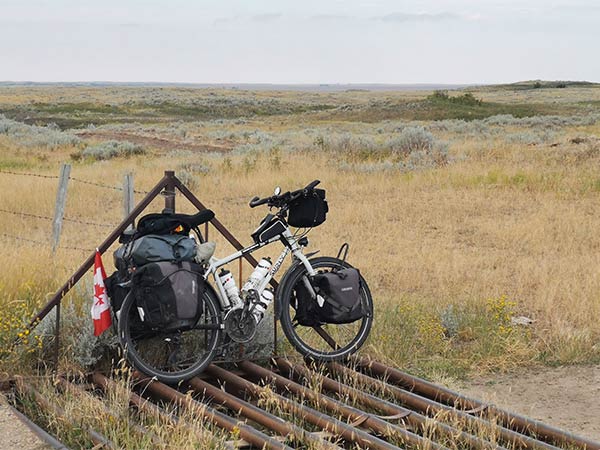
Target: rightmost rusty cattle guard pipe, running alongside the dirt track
508,419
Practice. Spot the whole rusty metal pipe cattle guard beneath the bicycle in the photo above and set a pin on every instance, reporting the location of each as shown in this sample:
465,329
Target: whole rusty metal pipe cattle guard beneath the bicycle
363,405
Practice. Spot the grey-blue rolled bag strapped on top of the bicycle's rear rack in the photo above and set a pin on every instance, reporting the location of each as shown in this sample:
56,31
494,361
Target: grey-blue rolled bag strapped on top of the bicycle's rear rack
156,248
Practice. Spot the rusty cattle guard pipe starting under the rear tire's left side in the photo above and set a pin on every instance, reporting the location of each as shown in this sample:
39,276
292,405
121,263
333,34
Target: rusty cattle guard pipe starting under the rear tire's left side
246,432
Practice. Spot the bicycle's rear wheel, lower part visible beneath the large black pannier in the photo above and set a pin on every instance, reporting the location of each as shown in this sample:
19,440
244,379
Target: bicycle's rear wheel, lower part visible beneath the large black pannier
170,356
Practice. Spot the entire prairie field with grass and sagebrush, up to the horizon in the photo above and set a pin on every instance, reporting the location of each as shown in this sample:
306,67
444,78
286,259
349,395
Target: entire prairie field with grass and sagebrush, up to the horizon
463,210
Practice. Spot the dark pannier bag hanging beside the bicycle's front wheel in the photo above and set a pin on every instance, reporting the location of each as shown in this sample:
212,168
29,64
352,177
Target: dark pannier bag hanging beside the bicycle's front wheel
340,290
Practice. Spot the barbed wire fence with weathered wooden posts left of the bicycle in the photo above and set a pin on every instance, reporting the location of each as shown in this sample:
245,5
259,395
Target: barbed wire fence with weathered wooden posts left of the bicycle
60,215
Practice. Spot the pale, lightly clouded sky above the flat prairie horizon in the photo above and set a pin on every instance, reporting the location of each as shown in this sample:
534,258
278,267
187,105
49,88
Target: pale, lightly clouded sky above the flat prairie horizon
301,41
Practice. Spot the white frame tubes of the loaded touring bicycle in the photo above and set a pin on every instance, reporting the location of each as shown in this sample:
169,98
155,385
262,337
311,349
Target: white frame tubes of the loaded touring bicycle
290,246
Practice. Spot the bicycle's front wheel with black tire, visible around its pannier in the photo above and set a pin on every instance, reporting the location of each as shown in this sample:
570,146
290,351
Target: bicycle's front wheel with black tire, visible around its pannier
307,342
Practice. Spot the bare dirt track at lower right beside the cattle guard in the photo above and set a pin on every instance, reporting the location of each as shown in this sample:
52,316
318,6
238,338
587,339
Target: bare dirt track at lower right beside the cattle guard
565,397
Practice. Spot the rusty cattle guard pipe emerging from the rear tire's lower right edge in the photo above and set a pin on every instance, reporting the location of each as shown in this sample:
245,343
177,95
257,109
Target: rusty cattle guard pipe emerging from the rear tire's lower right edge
346,431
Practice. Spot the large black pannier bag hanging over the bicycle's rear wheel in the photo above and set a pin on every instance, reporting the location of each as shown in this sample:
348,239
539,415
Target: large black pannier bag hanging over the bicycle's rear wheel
169,295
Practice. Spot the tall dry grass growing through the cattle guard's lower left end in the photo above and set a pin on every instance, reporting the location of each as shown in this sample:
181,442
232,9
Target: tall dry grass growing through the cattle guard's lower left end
111,416
